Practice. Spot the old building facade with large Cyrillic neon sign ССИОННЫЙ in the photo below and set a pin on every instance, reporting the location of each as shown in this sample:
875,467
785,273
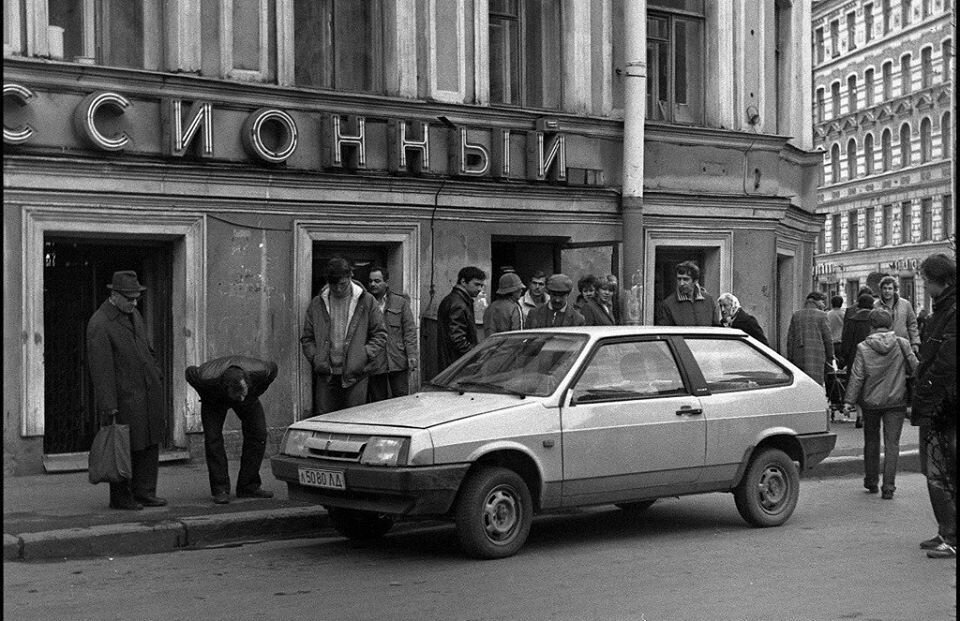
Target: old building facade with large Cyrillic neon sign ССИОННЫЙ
225,150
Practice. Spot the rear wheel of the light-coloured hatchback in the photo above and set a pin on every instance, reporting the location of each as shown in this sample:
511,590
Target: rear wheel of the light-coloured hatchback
768,493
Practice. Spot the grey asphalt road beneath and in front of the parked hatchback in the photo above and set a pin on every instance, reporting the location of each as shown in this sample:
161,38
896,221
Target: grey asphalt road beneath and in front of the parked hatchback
844,554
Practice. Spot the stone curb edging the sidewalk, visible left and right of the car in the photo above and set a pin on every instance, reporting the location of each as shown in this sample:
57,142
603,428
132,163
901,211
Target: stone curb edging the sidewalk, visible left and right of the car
130,539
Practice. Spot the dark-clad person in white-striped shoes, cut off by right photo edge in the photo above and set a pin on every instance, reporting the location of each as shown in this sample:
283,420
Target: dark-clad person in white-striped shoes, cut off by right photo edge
934,406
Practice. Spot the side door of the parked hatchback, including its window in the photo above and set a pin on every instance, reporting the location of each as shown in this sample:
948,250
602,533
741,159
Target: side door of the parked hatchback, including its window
630,423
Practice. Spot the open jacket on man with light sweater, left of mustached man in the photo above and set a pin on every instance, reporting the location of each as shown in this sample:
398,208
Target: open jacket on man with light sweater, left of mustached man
365,338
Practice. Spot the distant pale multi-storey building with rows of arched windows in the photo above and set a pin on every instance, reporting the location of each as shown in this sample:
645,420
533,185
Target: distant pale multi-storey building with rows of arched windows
883,101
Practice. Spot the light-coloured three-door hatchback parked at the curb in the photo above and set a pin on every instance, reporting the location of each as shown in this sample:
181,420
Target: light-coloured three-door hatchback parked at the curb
537,420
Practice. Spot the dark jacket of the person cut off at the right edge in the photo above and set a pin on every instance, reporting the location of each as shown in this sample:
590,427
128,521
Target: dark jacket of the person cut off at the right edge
935,391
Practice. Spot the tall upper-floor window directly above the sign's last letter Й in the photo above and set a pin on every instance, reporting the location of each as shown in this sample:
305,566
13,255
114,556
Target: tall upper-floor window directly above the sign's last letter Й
525,53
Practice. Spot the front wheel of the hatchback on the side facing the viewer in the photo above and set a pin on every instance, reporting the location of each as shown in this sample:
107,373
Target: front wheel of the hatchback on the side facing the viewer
493,513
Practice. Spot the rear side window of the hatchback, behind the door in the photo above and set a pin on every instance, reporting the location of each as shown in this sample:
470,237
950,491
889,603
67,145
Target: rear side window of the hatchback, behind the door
733,364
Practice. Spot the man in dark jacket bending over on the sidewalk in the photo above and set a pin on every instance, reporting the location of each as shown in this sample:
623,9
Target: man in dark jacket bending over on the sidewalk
233,382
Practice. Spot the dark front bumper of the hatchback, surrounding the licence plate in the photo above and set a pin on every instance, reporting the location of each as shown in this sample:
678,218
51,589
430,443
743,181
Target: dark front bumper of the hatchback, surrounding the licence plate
427,490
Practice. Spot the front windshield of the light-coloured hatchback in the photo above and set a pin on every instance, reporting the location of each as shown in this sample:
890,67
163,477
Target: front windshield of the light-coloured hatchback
518,363
